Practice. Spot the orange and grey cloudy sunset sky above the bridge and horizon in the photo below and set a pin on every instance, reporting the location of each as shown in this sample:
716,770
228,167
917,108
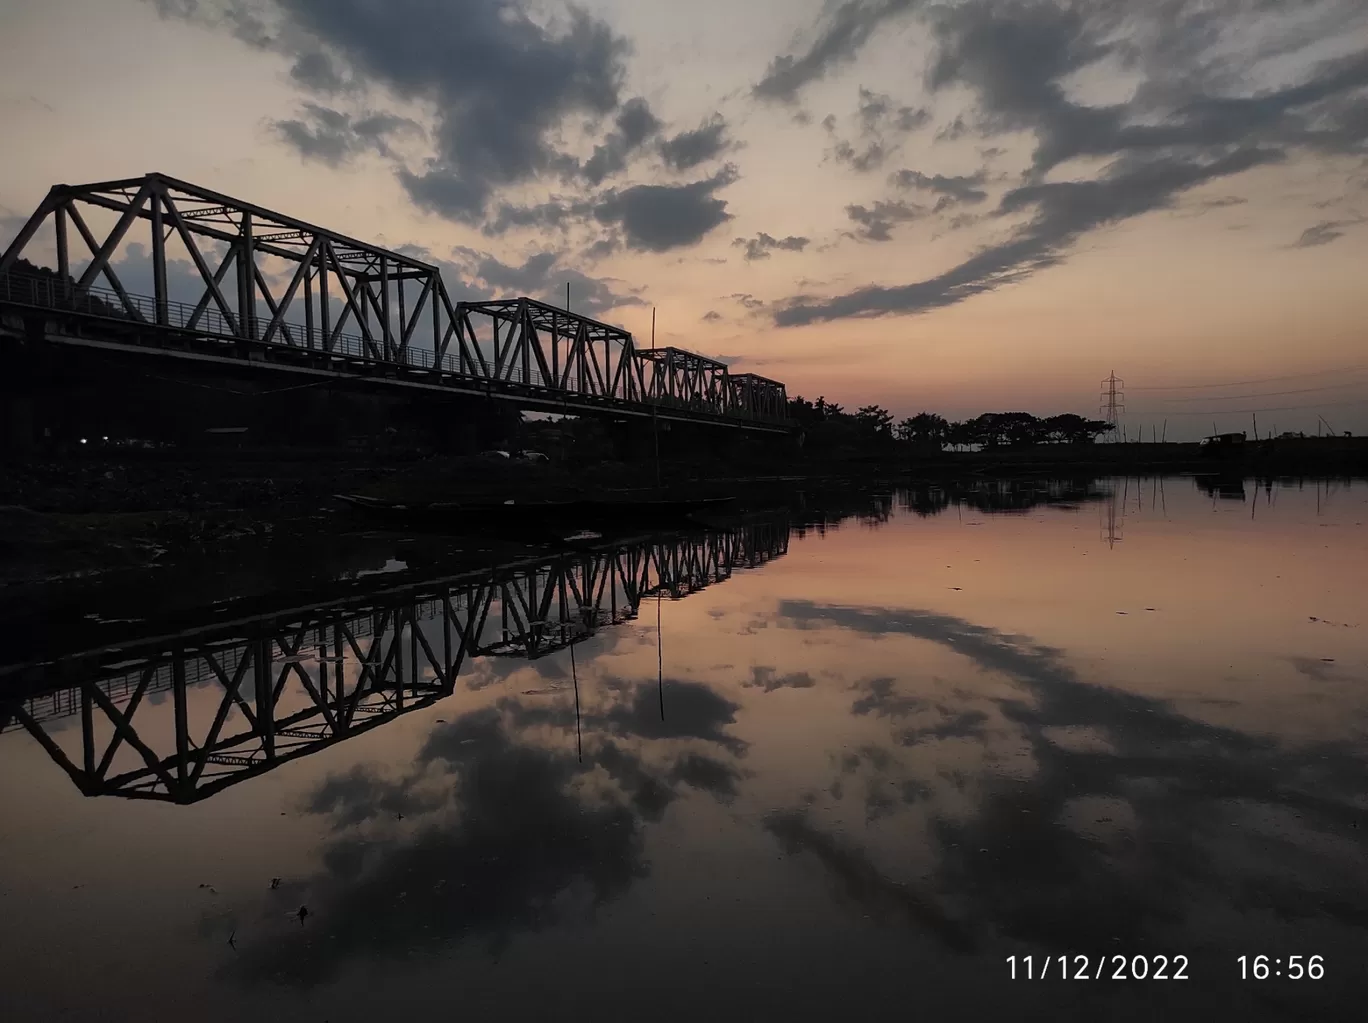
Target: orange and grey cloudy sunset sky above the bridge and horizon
962,207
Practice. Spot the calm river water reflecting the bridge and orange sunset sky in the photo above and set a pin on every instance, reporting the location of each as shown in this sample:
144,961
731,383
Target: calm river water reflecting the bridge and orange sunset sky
820,767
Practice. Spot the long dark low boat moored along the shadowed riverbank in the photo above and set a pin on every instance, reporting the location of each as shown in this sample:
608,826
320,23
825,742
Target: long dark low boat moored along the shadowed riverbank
549,516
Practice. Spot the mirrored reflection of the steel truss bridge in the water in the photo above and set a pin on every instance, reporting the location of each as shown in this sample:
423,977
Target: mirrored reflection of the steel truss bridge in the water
250,697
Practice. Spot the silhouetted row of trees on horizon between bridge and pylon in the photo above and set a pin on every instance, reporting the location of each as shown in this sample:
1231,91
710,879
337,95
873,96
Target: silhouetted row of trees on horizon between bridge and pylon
828,423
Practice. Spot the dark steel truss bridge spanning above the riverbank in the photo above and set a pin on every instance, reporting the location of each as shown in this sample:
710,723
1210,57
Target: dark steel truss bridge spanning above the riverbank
284,295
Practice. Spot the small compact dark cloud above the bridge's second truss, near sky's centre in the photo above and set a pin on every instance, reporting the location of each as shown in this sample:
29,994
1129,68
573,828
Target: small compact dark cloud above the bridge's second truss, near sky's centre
657,218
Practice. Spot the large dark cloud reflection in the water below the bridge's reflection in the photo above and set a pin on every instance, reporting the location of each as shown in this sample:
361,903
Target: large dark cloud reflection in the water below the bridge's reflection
512,836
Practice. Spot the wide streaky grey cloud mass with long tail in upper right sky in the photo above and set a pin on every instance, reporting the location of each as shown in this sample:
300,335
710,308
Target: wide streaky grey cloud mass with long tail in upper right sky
1198,116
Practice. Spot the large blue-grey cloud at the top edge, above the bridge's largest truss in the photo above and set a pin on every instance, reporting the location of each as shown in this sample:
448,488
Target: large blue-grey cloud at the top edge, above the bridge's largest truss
495,128
